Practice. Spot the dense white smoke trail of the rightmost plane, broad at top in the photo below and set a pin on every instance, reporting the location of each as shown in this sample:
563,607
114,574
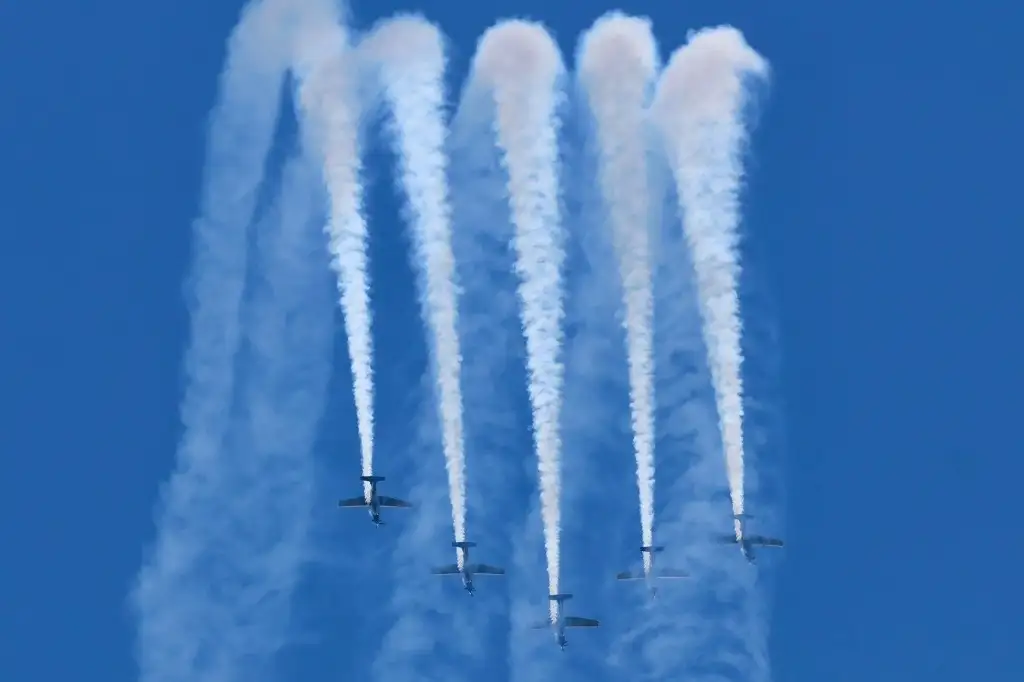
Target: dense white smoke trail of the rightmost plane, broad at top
698,109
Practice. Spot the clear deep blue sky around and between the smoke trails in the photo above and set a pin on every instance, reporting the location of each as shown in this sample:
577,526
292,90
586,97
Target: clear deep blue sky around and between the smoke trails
873,210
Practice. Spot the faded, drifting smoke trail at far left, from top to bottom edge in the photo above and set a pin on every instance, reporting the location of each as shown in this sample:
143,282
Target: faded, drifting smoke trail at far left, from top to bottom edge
182,623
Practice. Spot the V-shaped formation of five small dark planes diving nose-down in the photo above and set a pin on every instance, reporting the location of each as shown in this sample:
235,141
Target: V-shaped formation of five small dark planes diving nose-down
373,502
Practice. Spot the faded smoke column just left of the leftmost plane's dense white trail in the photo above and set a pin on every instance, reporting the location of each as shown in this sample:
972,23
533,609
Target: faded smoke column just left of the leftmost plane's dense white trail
289,333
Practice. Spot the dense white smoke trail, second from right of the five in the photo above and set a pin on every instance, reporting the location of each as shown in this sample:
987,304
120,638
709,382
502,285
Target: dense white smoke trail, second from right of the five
618,64
